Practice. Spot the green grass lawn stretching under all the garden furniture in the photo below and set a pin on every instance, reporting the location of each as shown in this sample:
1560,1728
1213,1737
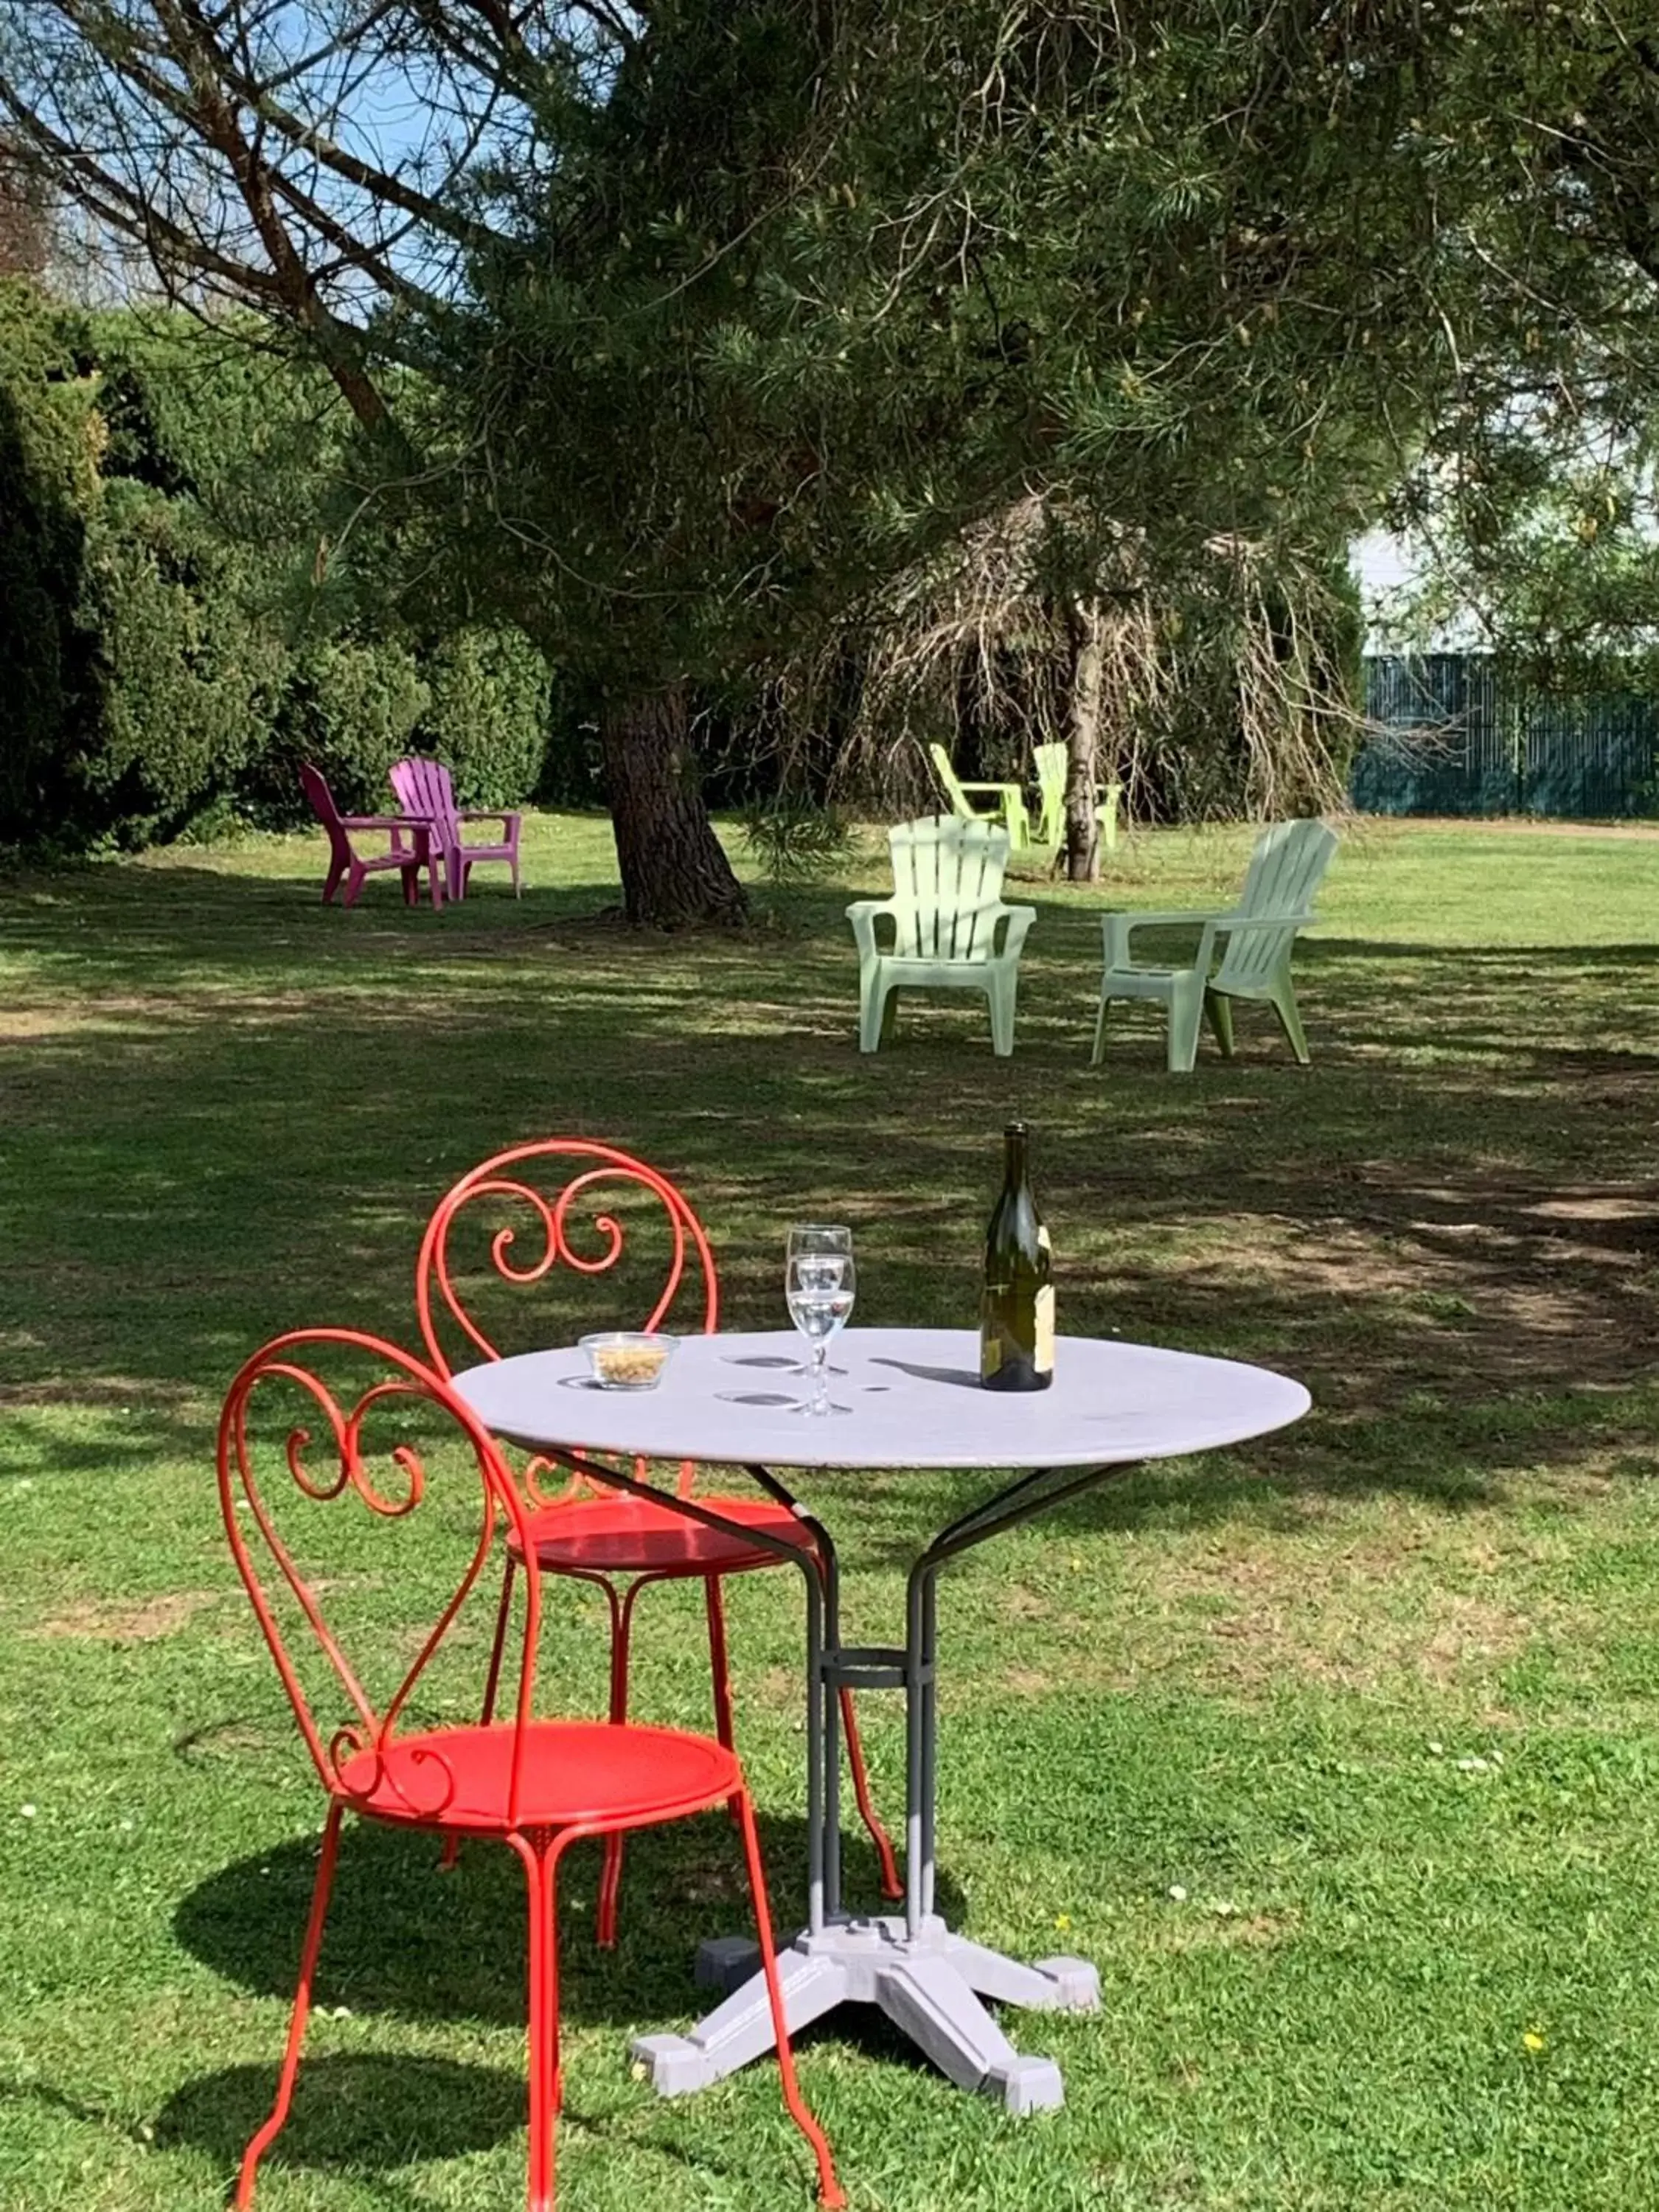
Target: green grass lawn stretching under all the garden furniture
1337,1753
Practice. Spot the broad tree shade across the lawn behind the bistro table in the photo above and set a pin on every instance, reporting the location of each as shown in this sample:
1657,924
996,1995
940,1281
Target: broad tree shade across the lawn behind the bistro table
1415,1218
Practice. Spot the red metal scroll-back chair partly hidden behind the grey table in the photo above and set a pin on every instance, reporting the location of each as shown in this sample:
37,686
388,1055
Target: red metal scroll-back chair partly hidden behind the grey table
589,1532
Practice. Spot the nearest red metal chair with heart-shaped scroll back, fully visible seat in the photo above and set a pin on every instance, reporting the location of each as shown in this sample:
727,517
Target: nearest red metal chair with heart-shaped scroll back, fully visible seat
536,1786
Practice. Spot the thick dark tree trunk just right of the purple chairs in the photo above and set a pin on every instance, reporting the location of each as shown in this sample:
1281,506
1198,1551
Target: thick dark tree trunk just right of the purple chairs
674,870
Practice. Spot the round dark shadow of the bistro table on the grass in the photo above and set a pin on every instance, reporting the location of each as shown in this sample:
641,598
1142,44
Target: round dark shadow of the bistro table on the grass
406,1939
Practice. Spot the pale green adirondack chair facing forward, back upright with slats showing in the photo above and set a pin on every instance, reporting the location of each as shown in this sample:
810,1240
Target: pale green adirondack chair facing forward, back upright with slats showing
948,924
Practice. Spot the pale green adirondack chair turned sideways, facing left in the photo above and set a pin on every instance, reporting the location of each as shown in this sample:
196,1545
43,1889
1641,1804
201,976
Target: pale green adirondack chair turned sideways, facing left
1255,941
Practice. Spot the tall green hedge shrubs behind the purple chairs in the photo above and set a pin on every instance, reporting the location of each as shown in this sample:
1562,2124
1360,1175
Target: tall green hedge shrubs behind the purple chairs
165,501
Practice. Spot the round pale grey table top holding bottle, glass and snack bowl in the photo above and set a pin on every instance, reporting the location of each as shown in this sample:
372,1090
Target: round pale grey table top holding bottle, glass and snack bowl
915,1397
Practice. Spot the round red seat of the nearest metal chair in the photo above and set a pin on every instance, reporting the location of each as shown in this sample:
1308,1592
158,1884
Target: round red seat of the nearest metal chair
576,1773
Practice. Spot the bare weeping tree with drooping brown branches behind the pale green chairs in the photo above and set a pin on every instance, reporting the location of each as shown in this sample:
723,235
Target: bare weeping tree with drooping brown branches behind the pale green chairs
1100,656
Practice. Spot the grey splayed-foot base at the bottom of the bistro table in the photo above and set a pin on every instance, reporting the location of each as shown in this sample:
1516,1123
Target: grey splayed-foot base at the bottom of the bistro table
930,1985
